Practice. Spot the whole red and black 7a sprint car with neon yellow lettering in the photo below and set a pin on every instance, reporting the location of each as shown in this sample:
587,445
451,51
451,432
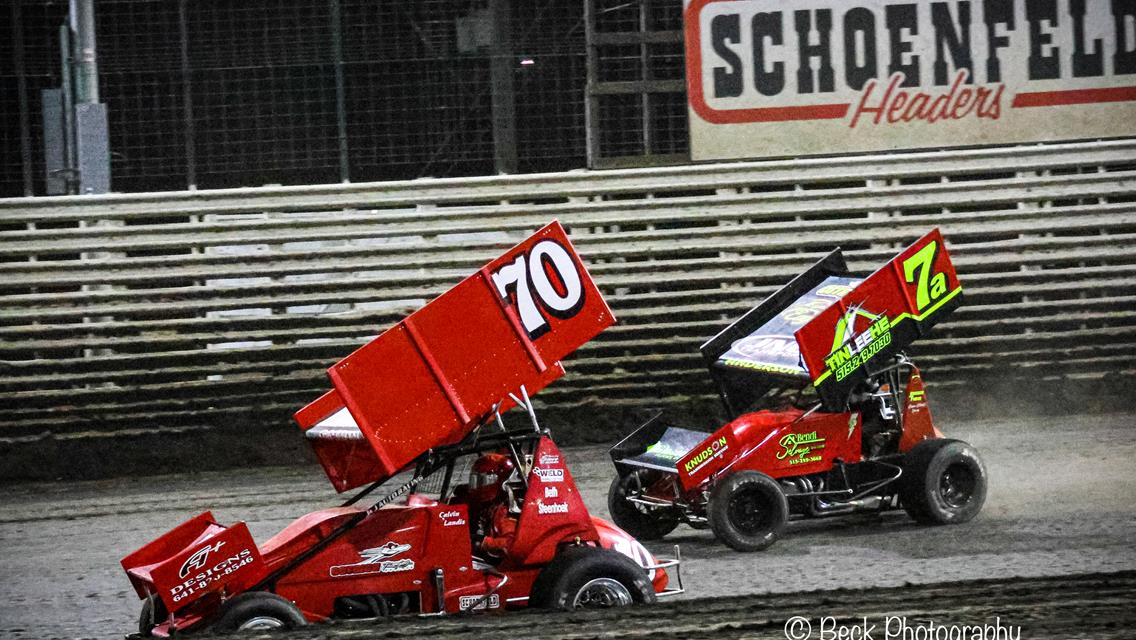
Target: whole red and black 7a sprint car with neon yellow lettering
829,417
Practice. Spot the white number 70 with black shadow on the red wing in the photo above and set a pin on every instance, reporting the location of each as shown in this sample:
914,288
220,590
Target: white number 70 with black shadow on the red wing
529,275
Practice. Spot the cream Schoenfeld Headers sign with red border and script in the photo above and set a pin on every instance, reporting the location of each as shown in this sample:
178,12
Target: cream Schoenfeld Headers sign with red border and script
769,78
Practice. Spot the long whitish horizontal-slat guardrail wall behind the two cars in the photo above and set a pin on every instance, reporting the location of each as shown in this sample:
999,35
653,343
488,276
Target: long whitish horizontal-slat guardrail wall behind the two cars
222,309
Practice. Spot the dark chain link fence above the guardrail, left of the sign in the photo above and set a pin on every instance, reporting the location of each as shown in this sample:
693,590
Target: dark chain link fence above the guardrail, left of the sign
210,94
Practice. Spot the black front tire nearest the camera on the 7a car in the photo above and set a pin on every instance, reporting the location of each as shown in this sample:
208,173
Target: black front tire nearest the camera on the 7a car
748,511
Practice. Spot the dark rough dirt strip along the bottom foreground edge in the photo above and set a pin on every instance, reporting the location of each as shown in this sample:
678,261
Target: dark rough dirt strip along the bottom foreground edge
1082,606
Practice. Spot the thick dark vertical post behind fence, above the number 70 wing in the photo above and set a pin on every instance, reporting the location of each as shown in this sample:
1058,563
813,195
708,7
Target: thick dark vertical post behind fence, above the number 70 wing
505,106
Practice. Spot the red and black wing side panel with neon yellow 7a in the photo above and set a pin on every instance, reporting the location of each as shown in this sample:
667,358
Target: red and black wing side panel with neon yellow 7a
889,311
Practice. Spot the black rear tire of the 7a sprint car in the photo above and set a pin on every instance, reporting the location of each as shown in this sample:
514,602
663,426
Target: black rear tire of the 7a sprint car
945,483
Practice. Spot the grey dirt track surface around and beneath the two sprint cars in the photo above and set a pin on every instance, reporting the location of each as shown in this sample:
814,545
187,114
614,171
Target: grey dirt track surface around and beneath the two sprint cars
1063,502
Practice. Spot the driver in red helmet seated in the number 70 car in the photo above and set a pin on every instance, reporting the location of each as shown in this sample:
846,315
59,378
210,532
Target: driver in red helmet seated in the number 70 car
494,510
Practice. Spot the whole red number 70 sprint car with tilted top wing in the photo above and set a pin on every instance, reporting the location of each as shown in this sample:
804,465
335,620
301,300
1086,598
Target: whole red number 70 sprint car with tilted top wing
417,404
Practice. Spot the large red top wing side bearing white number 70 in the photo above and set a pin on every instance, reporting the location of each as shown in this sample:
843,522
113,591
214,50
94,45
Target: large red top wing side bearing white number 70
432,378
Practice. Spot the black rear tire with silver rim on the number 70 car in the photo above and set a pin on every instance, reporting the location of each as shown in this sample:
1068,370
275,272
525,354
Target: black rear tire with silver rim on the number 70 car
591,578
